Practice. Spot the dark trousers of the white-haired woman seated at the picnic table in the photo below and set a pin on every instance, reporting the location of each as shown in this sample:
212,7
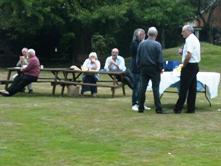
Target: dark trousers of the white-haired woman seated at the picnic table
89,79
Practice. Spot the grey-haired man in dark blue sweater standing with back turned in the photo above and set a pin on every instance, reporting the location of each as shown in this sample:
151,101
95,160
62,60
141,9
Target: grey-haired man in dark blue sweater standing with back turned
150,63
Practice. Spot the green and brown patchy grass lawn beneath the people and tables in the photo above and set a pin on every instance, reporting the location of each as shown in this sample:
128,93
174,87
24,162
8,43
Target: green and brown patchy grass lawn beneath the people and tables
45,130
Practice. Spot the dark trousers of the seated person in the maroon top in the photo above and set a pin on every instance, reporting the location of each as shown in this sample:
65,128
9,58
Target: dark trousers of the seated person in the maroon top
20,82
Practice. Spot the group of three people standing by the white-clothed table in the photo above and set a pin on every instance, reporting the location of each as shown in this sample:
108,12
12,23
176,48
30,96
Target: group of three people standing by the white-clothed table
147,64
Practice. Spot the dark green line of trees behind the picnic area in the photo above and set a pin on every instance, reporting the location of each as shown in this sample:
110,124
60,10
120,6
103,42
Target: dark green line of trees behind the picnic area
67,30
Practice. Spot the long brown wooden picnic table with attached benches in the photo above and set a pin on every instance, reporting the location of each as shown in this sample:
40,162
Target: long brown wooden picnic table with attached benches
66,77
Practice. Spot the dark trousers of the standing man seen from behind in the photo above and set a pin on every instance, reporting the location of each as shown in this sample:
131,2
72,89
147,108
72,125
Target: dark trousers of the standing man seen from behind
153,74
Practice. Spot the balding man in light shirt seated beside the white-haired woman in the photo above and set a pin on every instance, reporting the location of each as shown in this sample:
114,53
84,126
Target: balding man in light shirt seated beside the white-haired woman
116,62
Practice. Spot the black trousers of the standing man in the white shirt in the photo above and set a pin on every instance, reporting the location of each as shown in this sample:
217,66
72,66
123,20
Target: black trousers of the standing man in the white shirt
188,83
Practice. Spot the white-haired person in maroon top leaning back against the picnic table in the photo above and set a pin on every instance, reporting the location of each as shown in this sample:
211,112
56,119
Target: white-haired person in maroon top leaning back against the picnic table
28,74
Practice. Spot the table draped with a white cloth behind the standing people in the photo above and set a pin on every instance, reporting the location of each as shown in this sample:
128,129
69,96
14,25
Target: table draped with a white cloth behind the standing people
207,82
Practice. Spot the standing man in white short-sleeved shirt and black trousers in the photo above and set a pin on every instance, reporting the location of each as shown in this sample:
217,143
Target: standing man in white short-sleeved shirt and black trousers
190,59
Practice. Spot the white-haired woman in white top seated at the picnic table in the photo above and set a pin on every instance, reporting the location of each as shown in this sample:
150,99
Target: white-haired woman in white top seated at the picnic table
91,63
